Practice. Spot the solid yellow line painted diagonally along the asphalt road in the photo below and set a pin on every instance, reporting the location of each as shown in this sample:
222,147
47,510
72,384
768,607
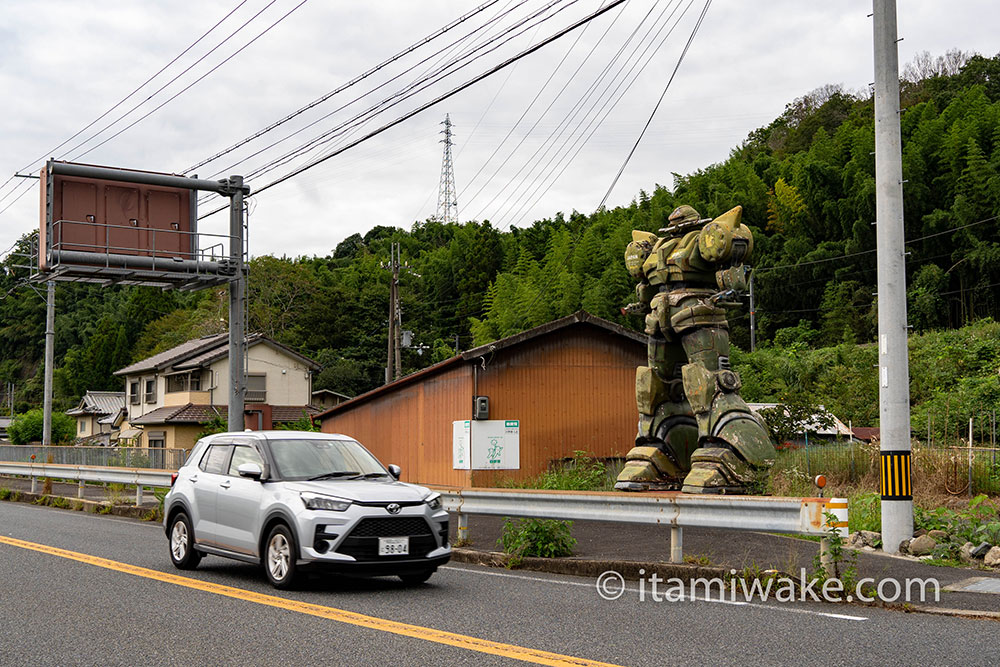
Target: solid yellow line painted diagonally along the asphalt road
340,615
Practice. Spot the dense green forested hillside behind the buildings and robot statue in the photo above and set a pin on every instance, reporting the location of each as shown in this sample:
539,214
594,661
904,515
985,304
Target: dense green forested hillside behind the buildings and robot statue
806,183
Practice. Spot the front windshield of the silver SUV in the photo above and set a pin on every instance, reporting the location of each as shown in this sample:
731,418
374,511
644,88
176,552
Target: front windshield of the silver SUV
297,458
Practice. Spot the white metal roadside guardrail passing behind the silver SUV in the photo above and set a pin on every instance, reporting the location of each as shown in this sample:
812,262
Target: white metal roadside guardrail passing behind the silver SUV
799,516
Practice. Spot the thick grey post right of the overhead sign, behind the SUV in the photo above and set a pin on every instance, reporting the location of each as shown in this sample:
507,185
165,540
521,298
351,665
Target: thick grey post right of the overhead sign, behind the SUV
237,296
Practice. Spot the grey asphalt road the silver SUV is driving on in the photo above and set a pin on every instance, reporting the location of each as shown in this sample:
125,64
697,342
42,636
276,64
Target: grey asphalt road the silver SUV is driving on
56,610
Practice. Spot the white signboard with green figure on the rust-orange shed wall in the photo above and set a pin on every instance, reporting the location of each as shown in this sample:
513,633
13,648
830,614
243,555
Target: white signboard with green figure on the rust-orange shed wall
486,444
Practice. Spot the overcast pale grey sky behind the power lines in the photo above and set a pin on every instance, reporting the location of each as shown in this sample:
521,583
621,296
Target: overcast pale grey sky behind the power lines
63,64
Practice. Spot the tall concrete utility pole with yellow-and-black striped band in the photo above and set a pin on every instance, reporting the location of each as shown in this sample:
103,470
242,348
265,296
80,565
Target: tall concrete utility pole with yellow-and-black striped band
894,374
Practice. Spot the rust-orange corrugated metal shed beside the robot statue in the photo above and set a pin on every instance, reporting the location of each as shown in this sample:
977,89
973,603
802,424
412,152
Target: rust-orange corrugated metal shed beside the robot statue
569,383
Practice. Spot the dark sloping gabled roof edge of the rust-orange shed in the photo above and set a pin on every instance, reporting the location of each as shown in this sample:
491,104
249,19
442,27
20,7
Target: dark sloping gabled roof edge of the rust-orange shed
580,317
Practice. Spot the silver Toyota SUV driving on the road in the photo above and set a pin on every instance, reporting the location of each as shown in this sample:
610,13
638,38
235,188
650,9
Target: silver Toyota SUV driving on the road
294,501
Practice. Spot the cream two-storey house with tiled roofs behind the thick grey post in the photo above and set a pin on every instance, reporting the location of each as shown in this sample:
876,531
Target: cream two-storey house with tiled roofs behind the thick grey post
173,394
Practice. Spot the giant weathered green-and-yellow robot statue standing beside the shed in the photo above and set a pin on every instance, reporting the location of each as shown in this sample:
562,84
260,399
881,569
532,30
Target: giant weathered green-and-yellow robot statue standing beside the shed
693,424
